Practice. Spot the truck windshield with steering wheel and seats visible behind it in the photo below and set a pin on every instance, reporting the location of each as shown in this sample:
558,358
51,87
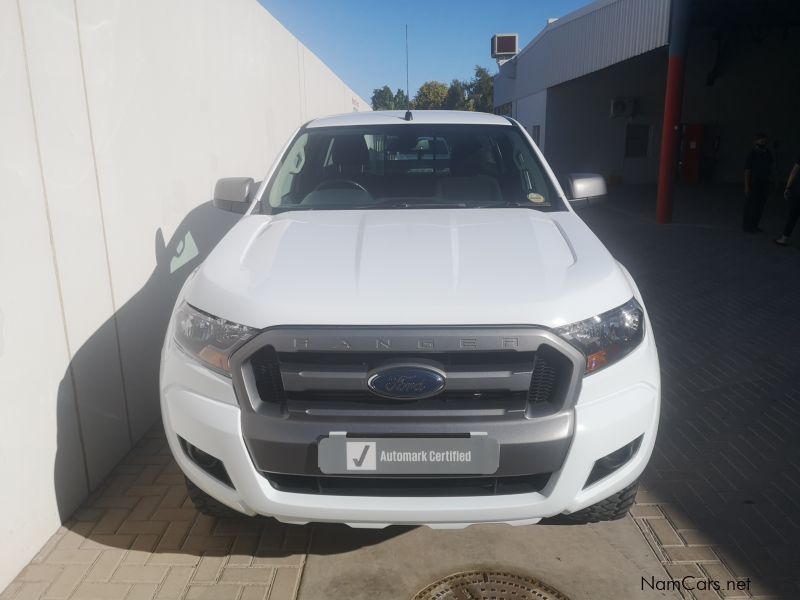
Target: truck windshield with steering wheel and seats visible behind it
410,166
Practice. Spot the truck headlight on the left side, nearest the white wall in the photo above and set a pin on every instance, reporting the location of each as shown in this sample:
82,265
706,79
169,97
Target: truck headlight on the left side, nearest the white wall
209,339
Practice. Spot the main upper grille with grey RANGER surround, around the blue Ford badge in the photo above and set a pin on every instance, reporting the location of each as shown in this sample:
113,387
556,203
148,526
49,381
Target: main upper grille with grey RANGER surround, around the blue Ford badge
499,370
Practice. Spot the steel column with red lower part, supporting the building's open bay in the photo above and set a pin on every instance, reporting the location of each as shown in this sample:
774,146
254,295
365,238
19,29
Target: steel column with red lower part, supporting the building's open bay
673,98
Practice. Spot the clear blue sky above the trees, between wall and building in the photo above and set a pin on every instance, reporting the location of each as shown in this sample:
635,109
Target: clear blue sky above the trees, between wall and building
364,41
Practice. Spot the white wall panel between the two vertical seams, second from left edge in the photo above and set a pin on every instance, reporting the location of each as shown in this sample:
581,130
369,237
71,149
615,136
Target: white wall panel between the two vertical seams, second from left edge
54,62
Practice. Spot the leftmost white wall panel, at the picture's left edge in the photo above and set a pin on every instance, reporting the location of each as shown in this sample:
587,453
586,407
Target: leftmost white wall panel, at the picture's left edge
33,351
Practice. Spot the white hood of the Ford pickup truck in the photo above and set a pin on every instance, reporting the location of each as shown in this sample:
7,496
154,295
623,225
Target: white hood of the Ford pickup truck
409,267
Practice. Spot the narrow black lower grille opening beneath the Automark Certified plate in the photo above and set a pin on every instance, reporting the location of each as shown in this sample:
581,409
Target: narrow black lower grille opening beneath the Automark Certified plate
397,486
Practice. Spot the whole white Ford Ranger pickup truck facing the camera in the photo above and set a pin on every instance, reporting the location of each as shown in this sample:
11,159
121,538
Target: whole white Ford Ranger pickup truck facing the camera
411,325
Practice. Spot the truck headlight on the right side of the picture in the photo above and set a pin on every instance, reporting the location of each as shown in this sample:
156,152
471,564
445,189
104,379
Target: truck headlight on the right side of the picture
606,338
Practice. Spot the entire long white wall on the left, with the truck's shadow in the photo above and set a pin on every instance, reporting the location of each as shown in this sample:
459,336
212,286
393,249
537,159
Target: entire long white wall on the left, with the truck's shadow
116,118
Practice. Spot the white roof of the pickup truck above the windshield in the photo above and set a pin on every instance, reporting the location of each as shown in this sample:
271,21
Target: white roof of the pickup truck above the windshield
388,117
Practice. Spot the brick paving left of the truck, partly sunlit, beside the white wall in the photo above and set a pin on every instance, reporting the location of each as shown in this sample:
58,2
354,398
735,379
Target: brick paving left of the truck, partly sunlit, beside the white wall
138,538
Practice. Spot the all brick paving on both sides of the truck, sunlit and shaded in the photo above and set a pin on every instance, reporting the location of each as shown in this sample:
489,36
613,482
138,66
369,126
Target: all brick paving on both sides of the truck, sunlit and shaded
720,498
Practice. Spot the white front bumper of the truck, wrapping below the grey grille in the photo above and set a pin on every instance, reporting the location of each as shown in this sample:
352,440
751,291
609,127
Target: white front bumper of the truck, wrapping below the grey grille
616,406
